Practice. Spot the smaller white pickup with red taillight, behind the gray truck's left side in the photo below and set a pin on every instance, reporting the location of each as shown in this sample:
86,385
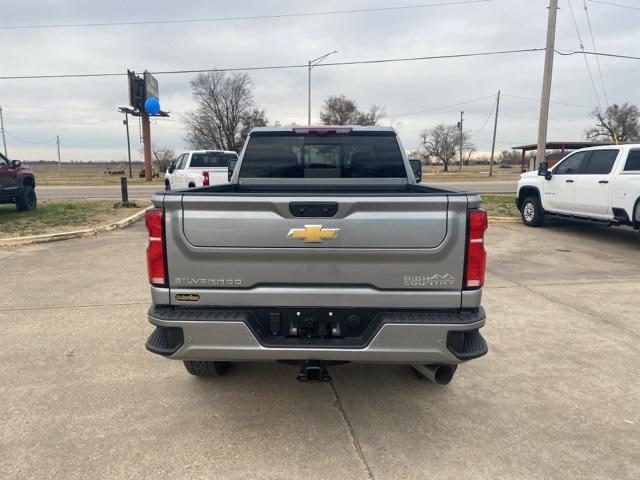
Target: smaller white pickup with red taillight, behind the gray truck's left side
199,168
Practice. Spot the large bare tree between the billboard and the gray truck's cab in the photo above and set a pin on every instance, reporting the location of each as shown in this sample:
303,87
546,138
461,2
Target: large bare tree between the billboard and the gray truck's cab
225,112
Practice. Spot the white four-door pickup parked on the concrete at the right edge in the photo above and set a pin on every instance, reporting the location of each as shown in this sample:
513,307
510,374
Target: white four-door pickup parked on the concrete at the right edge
597,184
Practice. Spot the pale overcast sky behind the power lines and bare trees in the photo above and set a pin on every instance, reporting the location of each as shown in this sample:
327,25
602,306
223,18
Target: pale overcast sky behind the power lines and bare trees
84,111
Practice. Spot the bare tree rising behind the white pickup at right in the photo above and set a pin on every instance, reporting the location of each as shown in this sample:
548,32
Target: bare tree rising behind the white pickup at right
617,121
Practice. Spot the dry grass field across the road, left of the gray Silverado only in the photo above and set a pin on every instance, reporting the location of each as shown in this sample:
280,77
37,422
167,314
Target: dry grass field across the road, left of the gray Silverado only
84,174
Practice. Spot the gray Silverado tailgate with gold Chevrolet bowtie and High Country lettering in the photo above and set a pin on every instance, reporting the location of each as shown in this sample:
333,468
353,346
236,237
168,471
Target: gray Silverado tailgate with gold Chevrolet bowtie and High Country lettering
395,242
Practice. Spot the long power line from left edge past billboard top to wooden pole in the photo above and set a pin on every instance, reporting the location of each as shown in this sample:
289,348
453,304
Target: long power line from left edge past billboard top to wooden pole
276,67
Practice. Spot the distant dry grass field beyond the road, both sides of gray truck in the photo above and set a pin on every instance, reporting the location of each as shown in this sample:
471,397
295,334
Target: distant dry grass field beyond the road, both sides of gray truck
94,174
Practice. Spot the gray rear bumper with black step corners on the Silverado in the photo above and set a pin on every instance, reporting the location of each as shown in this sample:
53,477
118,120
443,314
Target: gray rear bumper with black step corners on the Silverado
219,335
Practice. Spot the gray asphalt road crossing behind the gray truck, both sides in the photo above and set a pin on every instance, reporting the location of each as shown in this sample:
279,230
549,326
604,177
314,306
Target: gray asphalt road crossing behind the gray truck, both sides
144,191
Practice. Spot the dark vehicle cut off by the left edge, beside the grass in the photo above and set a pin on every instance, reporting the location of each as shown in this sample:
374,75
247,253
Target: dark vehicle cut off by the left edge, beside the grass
17,184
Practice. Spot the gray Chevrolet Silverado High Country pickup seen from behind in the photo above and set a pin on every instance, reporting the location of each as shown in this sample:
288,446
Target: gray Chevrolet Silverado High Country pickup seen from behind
322,250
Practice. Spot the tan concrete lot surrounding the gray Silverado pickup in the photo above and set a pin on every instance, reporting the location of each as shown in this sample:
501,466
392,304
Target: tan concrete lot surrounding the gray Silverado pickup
557,397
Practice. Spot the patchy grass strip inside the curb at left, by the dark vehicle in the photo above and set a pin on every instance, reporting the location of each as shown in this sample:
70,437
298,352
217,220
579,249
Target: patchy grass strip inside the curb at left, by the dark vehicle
54,216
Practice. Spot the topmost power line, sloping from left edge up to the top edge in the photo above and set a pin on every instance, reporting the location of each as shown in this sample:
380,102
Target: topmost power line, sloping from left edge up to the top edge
244,18
